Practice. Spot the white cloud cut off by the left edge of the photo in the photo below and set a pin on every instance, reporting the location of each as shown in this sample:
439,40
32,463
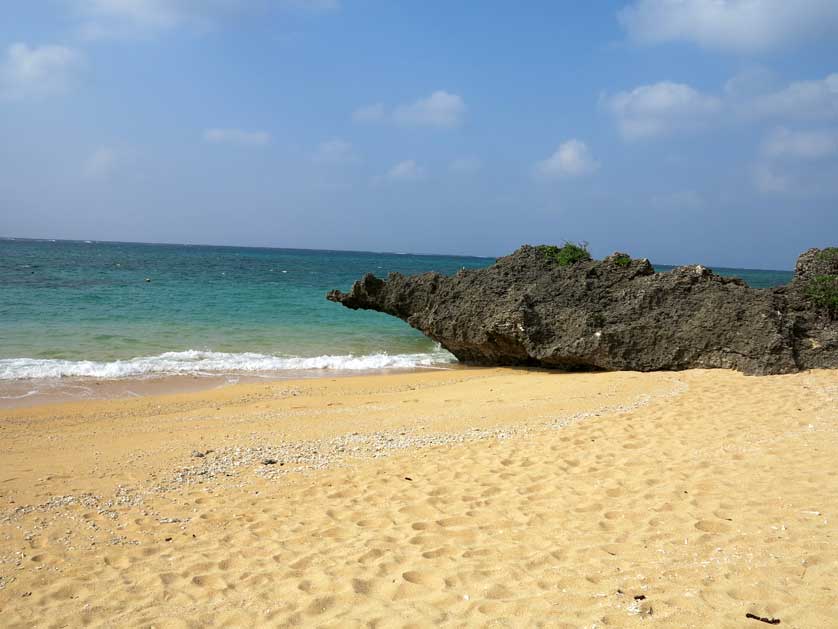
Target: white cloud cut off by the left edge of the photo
36,72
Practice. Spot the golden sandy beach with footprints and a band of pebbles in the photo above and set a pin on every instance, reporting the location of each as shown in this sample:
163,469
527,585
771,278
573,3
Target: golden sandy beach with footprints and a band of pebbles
473,497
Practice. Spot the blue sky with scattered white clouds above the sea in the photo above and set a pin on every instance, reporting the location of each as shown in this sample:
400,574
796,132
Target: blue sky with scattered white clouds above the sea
684,131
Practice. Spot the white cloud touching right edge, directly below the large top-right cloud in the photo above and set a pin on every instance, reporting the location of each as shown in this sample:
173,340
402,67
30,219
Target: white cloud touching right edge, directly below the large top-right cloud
802,99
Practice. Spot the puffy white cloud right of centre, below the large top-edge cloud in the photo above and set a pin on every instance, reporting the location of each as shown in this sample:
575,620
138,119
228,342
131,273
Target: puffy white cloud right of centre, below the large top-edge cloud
660,109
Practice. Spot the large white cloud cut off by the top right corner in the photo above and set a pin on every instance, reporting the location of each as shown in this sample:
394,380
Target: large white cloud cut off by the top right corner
735,25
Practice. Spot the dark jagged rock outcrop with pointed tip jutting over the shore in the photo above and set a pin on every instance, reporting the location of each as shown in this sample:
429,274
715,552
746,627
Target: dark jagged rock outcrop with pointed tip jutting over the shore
613,314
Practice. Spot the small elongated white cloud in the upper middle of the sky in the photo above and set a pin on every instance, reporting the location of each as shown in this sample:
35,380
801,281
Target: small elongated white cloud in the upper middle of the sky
440,109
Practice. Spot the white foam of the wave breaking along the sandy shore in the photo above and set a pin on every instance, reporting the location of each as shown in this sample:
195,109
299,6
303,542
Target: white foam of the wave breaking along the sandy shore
193,362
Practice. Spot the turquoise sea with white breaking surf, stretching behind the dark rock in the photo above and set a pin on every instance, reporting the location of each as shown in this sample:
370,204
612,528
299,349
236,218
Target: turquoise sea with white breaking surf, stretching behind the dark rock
84,309
